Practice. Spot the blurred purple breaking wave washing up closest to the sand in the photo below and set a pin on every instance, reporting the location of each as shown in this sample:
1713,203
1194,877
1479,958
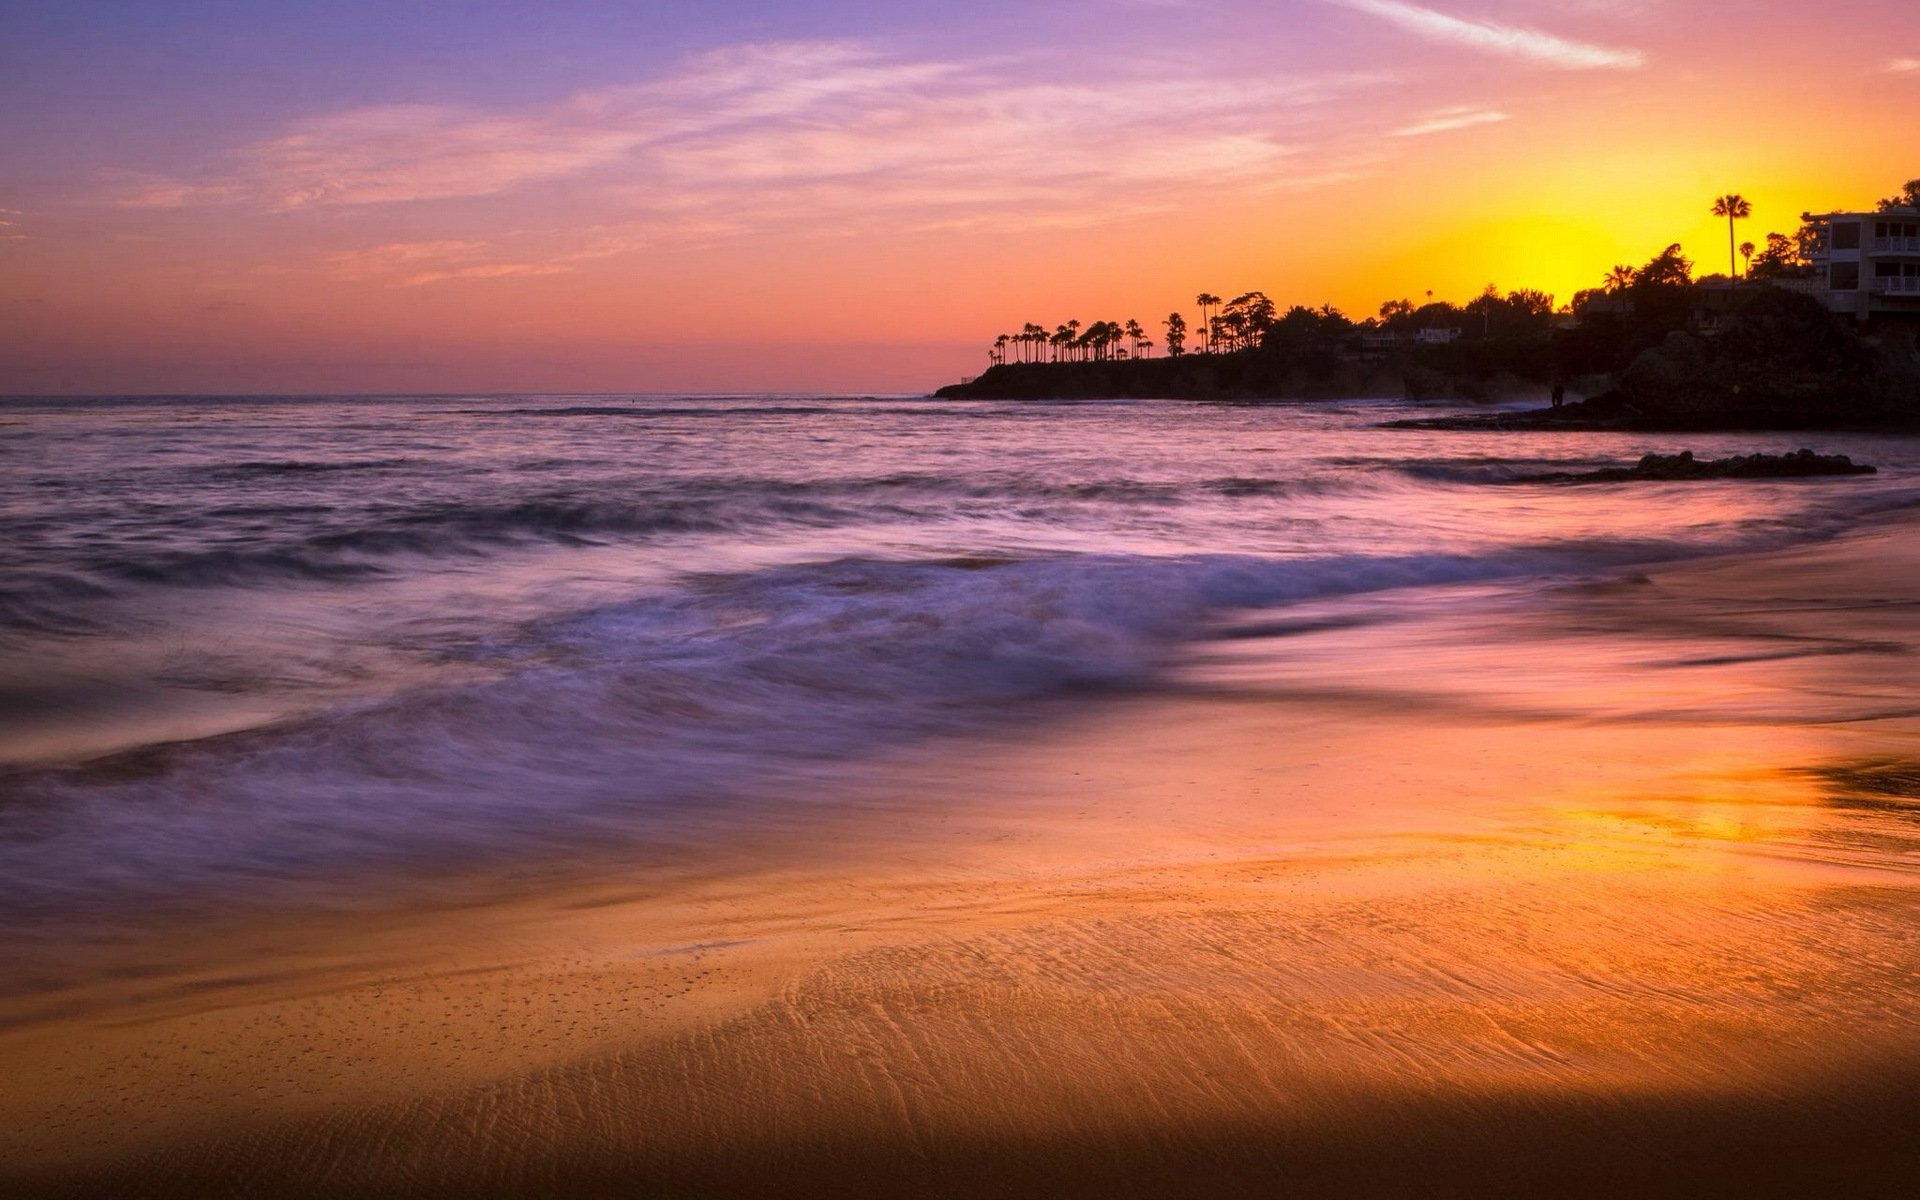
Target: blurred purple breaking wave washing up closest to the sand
636,721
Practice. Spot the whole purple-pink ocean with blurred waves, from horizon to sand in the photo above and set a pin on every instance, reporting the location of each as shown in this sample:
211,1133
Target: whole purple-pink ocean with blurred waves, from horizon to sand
293,650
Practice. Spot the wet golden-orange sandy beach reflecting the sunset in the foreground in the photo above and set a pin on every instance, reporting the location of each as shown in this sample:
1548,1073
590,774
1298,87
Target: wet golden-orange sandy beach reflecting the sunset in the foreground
1604,890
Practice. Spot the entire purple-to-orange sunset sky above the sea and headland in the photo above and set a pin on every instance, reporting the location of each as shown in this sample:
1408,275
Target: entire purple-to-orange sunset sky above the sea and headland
857,197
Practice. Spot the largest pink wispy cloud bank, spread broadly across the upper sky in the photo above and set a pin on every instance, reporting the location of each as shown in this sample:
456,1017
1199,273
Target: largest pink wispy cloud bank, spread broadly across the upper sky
792,120
